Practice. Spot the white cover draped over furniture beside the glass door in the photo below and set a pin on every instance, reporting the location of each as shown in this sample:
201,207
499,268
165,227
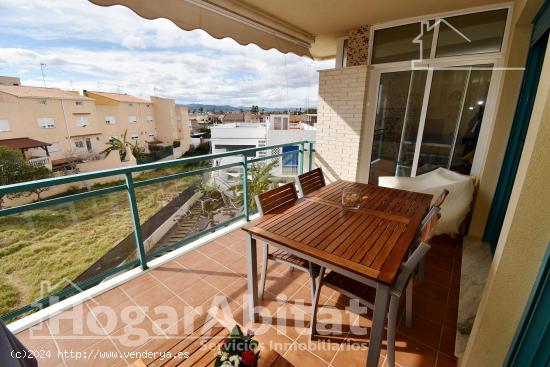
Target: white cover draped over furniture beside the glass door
456,206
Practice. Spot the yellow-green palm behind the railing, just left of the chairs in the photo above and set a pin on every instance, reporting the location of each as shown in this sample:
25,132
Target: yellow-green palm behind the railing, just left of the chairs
259,180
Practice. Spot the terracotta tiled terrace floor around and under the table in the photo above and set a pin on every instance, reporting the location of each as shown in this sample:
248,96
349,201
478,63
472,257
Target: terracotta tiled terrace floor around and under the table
201,279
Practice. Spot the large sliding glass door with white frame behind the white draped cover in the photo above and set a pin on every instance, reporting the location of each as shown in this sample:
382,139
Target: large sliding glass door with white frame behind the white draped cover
427,119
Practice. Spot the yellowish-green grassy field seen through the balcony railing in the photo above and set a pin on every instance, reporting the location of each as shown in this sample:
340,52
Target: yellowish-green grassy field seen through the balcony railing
61,242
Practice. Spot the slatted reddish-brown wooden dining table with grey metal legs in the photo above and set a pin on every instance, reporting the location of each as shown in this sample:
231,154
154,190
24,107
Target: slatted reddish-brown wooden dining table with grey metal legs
368,244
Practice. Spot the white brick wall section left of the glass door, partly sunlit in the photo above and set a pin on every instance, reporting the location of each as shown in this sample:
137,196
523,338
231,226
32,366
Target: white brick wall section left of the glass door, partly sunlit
340,112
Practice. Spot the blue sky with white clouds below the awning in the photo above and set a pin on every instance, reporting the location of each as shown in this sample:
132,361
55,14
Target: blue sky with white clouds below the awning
84,46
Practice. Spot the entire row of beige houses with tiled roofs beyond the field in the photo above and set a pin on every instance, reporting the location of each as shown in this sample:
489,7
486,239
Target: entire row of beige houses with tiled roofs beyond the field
76,128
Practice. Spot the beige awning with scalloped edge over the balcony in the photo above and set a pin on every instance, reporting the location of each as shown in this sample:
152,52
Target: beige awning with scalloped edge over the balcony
224,18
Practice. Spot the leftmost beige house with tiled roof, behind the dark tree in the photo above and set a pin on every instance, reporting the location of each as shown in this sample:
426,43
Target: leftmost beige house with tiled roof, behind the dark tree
66,121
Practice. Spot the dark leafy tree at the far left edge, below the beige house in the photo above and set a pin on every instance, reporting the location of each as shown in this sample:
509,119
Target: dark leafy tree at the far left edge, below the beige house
14,168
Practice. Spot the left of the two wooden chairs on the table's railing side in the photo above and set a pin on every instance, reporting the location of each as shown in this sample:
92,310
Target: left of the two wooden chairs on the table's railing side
270,202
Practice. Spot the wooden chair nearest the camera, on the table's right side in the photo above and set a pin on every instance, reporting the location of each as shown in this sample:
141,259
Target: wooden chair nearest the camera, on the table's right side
366,294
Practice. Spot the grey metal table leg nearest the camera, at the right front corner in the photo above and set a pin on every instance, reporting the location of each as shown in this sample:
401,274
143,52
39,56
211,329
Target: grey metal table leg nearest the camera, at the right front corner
378,323
